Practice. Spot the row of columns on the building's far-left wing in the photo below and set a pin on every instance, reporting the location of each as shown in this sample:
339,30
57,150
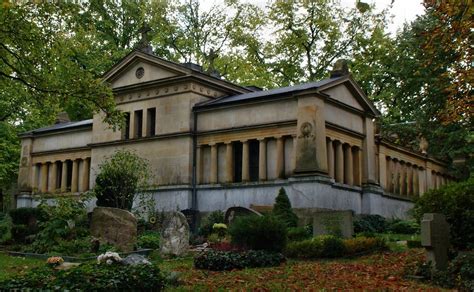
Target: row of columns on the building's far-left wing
61,176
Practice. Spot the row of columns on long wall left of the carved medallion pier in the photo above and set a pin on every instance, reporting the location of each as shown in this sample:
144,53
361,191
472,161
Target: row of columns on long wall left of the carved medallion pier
263,171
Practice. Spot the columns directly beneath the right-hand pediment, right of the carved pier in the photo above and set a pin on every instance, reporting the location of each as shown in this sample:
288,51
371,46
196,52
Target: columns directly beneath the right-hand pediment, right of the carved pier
344,162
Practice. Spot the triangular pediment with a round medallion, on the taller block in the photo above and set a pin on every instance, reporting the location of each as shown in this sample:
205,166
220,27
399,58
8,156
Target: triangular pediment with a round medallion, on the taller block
138,67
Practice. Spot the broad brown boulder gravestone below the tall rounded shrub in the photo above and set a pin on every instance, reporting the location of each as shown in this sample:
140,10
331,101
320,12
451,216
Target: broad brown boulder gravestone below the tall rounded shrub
114,226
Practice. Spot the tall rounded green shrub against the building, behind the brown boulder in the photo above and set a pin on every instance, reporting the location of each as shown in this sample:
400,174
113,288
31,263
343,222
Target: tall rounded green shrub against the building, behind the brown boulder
120,178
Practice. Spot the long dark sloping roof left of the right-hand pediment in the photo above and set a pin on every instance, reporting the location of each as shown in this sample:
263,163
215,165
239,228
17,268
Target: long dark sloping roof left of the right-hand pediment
266,93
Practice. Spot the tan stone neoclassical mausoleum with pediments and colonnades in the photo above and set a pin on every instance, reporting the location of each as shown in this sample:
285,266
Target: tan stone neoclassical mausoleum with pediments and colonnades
213,144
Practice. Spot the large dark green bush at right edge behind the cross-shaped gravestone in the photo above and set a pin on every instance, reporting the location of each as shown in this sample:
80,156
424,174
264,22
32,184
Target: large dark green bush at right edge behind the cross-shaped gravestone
456,202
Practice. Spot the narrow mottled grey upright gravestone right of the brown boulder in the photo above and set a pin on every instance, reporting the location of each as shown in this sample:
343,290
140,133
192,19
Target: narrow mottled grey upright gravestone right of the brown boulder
174,234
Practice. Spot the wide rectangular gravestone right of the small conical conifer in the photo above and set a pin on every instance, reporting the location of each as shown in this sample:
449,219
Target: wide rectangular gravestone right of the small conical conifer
338,223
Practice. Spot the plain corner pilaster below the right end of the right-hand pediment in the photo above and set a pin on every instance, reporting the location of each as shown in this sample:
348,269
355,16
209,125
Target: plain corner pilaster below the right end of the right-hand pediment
368,148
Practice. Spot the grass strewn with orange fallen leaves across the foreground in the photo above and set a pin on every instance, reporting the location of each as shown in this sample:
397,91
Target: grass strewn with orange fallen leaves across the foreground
378,271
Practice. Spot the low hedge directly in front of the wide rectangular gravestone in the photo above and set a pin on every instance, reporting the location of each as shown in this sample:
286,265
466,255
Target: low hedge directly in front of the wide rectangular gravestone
328,246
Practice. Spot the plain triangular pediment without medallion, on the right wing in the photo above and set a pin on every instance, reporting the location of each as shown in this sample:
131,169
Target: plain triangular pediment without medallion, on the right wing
348,92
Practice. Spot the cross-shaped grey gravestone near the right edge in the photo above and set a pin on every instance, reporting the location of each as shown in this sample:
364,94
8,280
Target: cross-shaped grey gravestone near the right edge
435,239
